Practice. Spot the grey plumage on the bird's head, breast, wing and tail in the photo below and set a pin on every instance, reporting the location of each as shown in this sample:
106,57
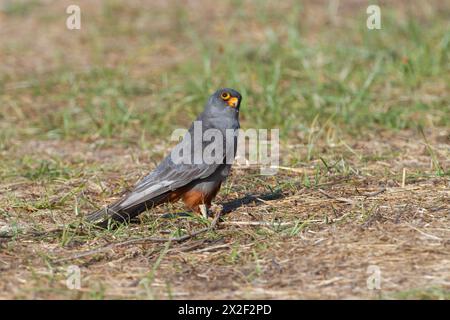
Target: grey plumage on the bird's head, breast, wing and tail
168,177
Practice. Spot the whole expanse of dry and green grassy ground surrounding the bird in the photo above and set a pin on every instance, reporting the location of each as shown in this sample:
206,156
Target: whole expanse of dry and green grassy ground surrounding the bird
81,121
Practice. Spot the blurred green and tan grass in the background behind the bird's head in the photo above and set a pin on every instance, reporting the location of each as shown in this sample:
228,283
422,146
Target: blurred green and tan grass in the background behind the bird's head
138,69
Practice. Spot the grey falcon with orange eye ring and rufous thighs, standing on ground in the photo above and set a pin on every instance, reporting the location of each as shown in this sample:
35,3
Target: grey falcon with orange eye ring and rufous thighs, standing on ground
195,179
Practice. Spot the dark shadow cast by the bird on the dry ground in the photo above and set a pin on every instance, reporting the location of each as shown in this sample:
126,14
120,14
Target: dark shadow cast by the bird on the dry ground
232,205
